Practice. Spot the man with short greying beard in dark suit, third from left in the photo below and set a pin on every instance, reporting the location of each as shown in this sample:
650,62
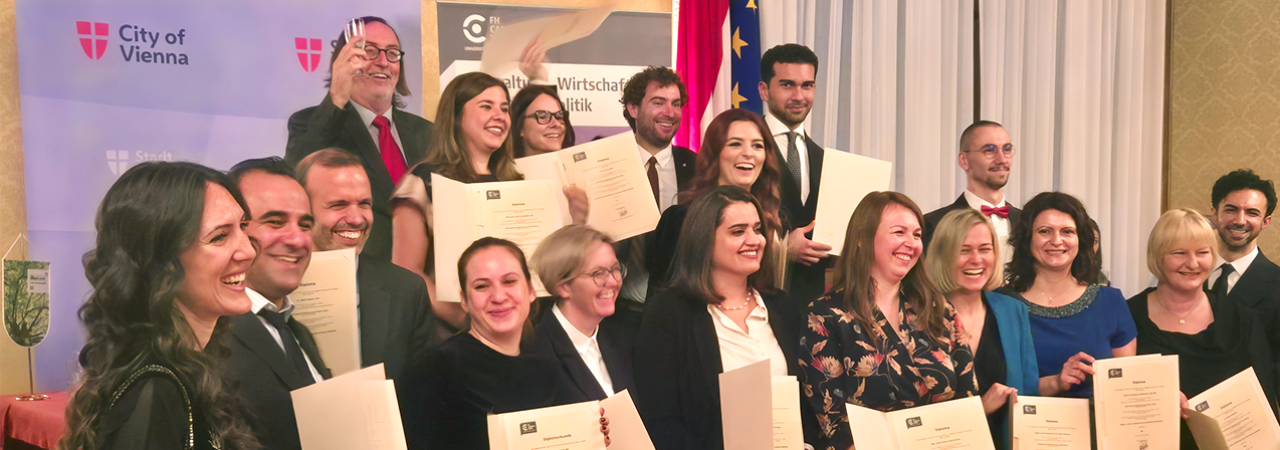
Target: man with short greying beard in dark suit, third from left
396,323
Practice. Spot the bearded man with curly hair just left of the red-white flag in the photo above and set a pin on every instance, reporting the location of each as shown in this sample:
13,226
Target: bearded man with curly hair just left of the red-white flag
653,102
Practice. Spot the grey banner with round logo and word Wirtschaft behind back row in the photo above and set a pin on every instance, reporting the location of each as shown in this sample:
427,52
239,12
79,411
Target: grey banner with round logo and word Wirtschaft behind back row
589,74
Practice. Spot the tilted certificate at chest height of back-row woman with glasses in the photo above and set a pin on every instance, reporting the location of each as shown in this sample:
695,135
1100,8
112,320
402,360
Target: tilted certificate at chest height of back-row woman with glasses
612,176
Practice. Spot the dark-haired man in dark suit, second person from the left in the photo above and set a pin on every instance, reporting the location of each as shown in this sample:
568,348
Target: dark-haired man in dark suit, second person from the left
272,353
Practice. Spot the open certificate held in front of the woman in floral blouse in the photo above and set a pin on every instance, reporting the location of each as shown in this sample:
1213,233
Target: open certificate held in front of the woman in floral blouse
956,425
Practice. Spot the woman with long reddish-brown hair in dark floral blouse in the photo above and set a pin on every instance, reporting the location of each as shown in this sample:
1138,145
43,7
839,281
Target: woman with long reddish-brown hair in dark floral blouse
884,338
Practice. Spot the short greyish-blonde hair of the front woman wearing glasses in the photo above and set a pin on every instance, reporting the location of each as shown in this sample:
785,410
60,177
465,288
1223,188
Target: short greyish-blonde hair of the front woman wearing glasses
561,254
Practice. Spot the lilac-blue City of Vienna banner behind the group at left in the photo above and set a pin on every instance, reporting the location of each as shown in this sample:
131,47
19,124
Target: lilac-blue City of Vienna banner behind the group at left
109,85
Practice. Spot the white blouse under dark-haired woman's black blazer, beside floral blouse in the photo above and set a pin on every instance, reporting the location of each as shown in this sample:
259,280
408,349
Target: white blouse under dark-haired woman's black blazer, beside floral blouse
757,343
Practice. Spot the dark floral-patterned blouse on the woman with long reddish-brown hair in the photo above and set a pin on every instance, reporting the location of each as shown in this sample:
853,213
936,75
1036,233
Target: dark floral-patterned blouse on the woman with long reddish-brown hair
840,362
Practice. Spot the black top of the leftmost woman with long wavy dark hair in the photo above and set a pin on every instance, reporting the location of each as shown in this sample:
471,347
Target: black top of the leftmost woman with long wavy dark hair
154,410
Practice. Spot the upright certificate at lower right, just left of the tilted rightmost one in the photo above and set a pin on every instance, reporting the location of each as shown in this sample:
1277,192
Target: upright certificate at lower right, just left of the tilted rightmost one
1136,403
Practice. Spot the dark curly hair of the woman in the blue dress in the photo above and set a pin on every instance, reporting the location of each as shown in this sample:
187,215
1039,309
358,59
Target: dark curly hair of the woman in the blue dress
1021,272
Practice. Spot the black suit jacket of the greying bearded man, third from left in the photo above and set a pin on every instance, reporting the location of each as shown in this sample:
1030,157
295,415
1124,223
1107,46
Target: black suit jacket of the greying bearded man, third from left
396,322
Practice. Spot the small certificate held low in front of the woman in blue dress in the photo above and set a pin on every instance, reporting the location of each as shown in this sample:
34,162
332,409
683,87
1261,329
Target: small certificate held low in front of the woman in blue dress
1050,424
